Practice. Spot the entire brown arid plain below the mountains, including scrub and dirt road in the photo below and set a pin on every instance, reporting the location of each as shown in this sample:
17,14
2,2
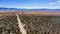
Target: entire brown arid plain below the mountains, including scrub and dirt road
29,22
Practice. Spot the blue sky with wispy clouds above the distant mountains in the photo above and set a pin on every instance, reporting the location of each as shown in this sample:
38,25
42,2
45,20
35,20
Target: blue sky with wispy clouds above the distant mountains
31,4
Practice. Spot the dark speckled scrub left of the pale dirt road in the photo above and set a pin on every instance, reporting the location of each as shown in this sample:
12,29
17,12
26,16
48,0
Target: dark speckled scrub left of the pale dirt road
9,25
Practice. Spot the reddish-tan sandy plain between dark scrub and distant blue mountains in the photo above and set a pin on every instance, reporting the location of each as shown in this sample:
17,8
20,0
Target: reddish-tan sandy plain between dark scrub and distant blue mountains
30,12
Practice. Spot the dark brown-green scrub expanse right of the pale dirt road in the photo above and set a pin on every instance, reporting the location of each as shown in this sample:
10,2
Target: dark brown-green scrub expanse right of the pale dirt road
41,24
